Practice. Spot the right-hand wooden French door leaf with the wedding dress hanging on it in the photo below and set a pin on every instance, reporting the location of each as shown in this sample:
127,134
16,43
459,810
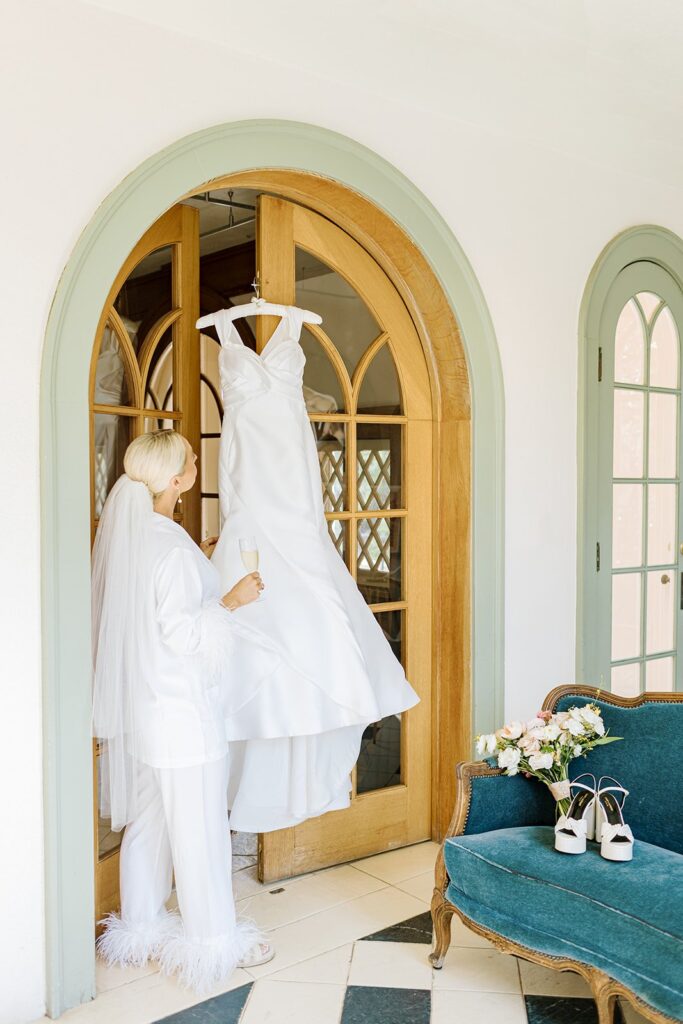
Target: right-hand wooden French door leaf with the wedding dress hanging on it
368,392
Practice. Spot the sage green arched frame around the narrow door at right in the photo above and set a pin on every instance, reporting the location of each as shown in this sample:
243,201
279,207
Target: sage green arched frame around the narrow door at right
644,244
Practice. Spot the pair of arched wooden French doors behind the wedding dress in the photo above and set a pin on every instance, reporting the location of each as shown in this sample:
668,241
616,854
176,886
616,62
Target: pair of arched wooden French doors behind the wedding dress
368,392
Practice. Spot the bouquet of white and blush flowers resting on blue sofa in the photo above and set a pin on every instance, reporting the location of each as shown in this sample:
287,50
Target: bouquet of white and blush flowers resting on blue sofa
545,746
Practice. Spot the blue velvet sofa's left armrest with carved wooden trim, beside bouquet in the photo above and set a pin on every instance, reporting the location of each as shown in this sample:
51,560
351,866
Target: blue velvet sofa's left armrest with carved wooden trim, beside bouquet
487,799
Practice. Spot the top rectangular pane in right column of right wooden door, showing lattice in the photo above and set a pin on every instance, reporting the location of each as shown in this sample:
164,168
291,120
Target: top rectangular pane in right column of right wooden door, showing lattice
379,466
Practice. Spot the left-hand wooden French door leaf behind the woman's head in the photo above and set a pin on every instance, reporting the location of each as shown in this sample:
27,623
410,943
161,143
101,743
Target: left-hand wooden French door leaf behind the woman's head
145,375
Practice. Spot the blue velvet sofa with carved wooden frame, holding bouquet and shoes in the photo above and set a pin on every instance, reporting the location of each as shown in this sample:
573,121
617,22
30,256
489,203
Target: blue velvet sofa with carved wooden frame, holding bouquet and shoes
619,925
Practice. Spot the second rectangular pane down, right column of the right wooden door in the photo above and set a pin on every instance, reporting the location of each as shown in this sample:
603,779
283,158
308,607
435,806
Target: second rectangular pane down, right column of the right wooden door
378,560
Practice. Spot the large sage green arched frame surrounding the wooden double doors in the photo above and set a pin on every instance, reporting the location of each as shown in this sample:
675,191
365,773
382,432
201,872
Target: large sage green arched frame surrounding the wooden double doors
137,203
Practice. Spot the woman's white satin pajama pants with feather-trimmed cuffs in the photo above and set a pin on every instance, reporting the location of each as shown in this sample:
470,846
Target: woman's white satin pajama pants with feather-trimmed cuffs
182,829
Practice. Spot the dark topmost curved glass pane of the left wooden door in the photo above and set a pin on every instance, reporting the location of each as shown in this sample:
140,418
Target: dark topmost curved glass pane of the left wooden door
148,293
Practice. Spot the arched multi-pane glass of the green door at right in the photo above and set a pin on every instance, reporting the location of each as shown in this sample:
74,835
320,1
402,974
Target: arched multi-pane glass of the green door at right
646,461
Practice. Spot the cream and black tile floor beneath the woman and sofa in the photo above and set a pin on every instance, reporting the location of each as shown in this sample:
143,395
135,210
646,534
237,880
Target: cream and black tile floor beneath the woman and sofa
353,945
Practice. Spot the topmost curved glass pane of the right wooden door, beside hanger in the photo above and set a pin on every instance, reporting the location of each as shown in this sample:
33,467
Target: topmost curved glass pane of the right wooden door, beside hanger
347,319
